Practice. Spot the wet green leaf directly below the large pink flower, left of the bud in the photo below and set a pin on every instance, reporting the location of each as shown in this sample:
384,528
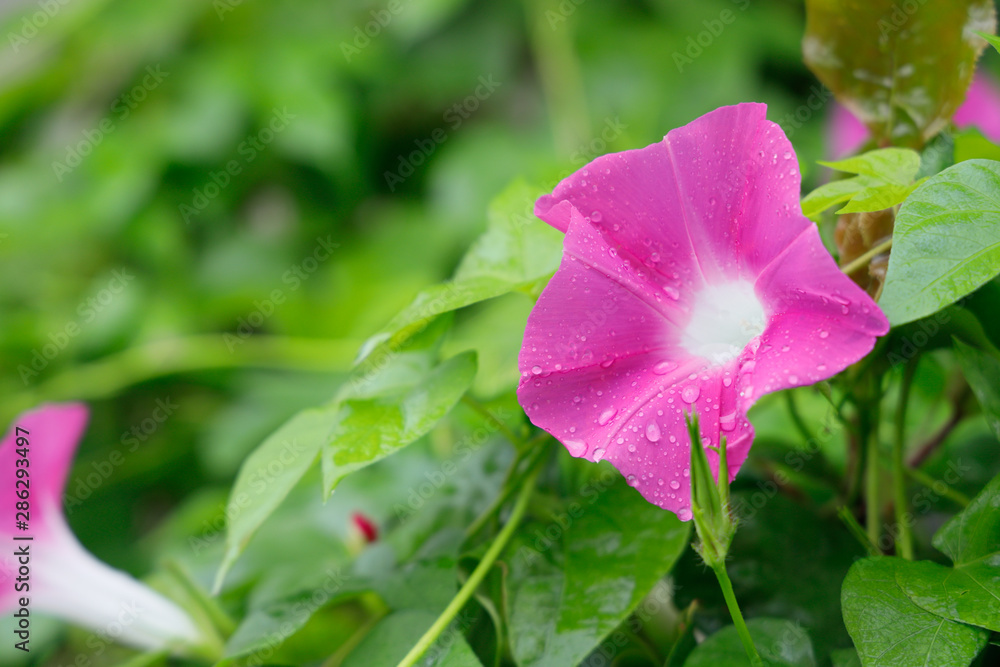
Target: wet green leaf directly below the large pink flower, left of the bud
574,580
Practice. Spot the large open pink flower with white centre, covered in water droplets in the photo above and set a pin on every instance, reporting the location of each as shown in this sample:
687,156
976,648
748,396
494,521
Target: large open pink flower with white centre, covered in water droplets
690,281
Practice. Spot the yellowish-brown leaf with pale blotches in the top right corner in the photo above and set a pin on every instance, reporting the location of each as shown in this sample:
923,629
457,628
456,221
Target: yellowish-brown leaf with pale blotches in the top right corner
874,57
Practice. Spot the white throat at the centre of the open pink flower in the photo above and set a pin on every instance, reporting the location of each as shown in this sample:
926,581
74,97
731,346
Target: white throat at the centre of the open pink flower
724,319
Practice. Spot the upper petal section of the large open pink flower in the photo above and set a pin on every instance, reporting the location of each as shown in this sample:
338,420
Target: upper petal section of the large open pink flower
654,201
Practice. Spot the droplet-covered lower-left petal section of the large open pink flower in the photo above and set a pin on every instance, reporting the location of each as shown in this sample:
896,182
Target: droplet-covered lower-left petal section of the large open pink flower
602,371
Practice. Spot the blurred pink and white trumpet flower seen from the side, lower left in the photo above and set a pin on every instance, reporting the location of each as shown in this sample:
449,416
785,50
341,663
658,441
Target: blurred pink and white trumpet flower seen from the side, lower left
52,573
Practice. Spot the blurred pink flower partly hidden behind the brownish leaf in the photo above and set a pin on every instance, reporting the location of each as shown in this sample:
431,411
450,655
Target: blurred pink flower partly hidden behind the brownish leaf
981,109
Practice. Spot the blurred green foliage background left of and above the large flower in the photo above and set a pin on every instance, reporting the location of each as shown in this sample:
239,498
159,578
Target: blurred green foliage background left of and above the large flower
170,168
